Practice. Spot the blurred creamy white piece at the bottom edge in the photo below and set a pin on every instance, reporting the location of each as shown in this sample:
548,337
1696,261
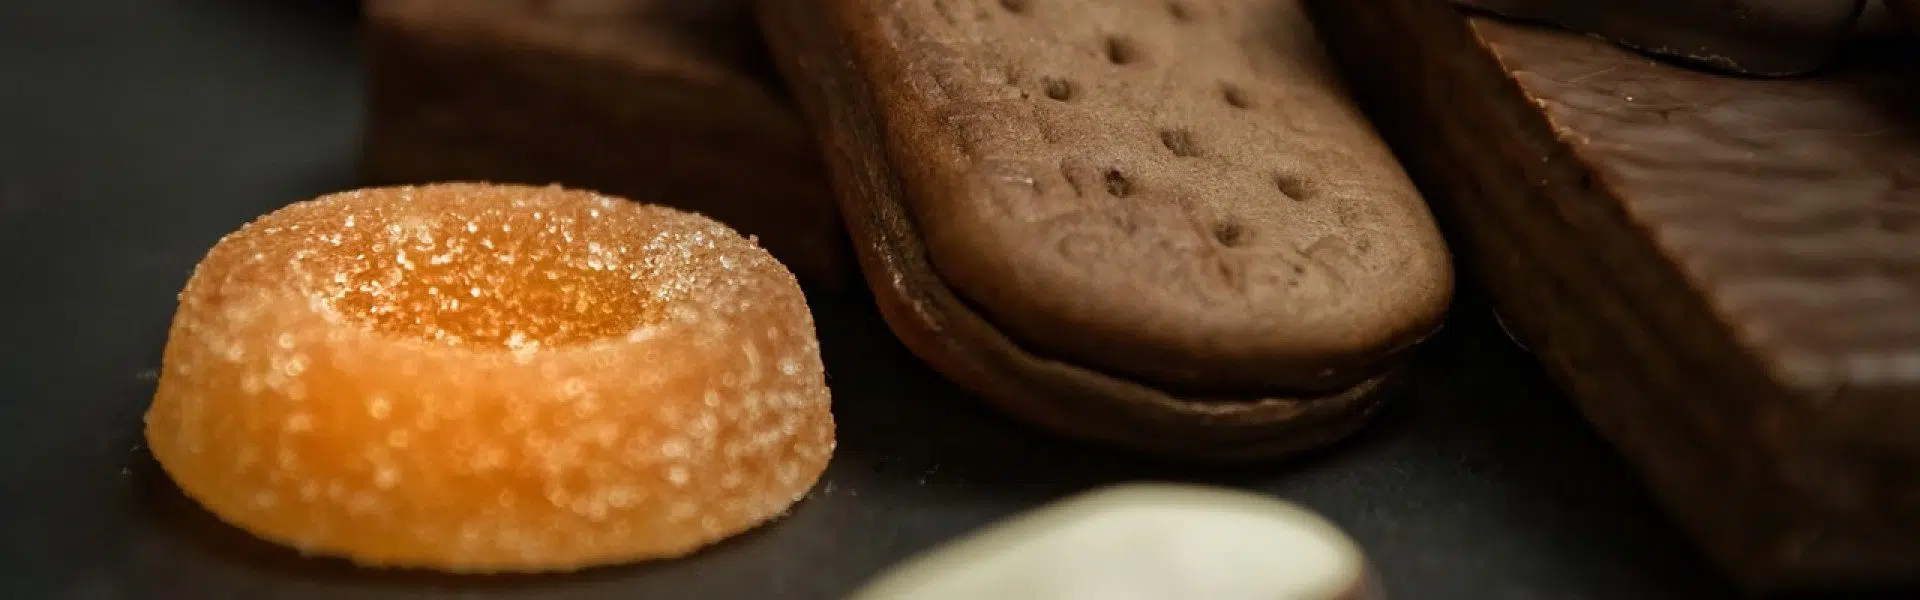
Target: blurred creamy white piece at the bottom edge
1141,543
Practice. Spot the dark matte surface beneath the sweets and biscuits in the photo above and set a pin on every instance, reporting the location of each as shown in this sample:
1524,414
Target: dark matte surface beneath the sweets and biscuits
133,134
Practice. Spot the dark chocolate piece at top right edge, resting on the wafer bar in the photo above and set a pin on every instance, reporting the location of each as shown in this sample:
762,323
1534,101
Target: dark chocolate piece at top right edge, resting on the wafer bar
1754,37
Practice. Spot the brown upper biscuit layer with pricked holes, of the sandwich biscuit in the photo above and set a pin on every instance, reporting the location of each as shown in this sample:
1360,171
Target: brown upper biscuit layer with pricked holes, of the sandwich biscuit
1170,191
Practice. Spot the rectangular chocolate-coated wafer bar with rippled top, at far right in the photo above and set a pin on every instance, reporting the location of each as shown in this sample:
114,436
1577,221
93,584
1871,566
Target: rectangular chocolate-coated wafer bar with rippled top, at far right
1723,272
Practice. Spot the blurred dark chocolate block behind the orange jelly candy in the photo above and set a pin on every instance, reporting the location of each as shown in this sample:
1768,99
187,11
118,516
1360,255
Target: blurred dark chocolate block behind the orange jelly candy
658,101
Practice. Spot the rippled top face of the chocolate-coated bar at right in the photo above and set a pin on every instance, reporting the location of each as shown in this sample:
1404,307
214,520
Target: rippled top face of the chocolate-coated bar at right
1790,207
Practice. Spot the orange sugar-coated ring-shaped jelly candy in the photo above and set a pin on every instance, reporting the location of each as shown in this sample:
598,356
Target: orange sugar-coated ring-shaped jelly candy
489,378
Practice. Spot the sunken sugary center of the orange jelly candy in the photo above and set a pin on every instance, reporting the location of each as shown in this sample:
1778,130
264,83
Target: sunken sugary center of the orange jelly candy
481,276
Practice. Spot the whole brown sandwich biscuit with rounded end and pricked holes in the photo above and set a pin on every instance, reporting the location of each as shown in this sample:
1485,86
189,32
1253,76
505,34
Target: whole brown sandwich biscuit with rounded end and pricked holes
1151,224
